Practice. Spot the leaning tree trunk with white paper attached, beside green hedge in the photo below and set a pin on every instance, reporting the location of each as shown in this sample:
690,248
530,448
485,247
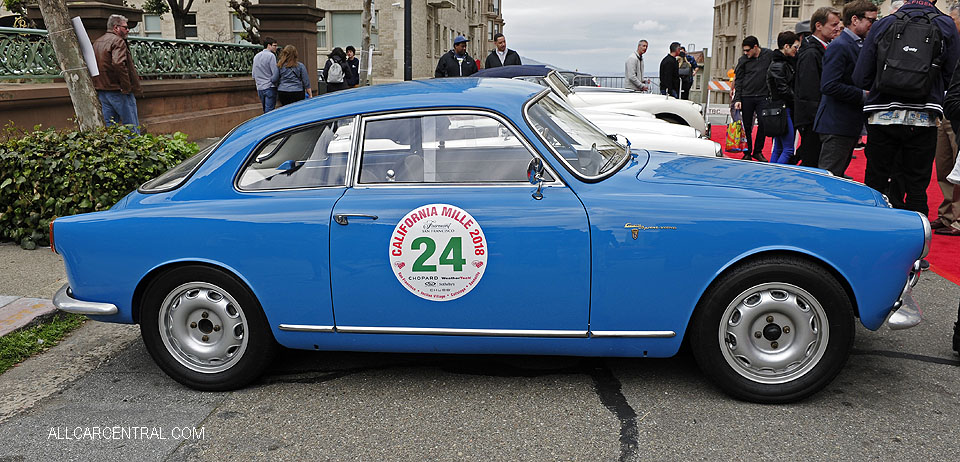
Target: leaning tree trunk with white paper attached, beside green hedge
79,83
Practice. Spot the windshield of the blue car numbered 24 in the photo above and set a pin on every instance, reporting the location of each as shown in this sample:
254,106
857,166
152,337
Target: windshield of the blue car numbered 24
582,146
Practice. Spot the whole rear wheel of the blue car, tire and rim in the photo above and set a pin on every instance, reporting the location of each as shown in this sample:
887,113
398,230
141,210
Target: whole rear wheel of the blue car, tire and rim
213,336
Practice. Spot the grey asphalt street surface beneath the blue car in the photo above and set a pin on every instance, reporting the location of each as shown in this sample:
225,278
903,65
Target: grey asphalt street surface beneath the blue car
99,396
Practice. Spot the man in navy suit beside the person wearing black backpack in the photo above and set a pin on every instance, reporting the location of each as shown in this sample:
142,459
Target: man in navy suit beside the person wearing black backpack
839,119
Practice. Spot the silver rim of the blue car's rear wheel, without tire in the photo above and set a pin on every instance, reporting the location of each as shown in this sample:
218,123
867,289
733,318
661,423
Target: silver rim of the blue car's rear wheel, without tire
203,327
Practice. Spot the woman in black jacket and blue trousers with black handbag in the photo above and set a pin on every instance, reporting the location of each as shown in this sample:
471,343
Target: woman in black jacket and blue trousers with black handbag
780,76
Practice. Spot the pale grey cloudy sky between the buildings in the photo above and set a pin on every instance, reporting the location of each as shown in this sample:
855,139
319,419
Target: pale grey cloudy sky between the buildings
596,36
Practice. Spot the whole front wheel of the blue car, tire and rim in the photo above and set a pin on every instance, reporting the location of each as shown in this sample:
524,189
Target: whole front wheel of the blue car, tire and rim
794,356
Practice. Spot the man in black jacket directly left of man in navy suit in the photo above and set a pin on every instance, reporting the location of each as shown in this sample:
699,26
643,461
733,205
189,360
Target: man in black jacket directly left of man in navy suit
825,25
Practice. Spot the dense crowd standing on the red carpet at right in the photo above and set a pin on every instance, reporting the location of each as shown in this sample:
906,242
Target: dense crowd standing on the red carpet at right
845,74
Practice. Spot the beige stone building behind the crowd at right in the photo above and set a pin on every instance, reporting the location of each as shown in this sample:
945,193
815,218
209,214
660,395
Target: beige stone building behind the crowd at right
733,20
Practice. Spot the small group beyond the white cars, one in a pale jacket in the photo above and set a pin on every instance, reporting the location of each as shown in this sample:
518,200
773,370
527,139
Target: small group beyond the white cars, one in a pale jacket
677,70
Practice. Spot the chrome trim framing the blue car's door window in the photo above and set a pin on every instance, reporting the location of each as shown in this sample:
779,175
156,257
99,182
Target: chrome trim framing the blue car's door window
358,153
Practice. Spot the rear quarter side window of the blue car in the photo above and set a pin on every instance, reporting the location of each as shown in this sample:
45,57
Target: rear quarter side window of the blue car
312,157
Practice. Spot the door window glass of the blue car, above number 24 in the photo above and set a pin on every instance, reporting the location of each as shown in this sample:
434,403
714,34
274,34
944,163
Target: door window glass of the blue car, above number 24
442,149
